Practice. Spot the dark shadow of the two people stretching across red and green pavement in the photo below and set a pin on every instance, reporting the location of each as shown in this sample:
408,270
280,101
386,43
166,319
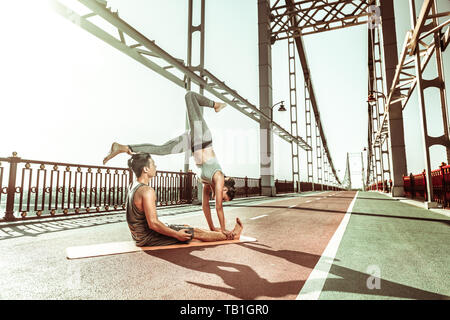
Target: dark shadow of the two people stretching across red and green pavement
244,283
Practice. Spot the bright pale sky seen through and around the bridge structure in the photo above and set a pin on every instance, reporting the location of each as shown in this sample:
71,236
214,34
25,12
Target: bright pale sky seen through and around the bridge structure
66,95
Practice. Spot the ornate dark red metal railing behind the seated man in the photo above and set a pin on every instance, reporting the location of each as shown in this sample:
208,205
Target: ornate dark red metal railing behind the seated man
31,189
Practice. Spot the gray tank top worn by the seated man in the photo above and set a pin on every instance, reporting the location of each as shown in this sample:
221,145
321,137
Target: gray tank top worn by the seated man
140,231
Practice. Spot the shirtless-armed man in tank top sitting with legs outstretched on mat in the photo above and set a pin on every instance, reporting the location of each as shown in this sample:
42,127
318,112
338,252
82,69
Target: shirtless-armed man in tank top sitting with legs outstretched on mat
142,219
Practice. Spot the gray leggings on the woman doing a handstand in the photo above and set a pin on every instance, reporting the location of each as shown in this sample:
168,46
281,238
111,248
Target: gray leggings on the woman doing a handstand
197,138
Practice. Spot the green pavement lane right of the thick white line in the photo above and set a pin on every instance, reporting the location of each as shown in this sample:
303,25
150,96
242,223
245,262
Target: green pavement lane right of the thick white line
407,247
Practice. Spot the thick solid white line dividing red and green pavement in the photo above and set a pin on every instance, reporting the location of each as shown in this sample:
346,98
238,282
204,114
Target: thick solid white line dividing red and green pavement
316,280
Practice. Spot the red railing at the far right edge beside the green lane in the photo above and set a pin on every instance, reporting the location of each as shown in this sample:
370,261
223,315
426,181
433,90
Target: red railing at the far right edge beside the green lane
415,185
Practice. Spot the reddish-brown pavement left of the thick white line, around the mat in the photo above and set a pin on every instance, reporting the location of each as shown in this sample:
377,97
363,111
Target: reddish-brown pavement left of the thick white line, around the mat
292,233
